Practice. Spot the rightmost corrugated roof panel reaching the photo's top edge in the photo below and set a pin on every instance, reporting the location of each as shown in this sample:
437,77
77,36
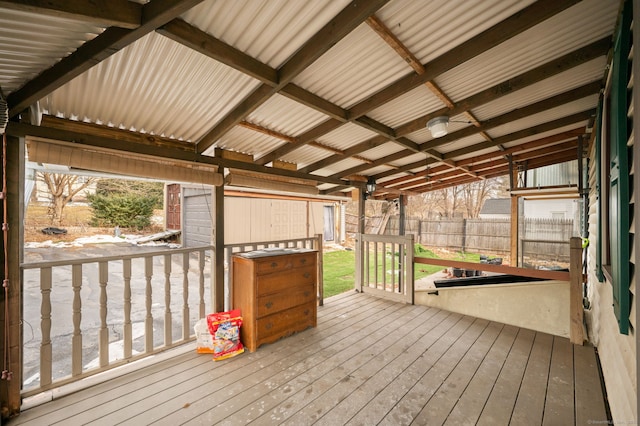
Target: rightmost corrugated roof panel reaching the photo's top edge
548,40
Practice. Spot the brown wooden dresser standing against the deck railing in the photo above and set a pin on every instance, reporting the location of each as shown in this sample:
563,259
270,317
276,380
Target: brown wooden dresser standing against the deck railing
276,292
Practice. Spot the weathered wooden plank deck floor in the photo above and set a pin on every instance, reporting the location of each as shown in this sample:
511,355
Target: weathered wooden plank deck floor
369,361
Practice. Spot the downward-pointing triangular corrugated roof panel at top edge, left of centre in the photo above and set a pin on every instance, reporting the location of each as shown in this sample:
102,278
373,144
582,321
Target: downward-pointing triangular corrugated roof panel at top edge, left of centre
268,30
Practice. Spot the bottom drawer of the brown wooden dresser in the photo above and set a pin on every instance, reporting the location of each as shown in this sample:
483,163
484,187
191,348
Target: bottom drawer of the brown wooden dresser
273,327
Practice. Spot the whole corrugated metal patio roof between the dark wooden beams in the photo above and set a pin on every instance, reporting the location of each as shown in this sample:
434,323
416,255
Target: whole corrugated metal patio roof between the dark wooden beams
161,87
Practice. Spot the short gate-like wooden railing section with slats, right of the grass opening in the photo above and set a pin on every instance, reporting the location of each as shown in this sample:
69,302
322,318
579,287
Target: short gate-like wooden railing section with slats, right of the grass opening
385,266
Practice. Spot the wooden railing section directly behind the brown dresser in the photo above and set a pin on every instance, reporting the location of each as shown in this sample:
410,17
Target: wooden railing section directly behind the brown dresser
314,243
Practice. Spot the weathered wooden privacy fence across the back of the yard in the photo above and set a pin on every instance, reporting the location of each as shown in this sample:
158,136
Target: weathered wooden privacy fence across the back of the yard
539,237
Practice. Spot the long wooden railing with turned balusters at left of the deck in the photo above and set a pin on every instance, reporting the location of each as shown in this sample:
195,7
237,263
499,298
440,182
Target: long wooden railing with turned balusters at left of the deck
113,310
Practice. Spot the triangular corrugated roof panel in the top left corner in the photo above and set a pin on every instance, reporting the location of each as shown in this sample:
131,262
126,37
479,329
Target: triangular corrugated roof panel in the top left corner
30,43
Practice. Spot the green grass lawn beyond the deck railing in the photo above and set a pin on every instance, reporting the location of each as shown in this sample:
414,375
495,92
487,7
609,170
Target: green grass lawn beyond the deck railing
339,269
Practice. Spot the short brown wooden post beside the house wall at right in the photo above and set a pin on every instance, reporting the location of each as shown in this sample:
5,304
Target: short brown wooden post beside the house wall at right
576,313
